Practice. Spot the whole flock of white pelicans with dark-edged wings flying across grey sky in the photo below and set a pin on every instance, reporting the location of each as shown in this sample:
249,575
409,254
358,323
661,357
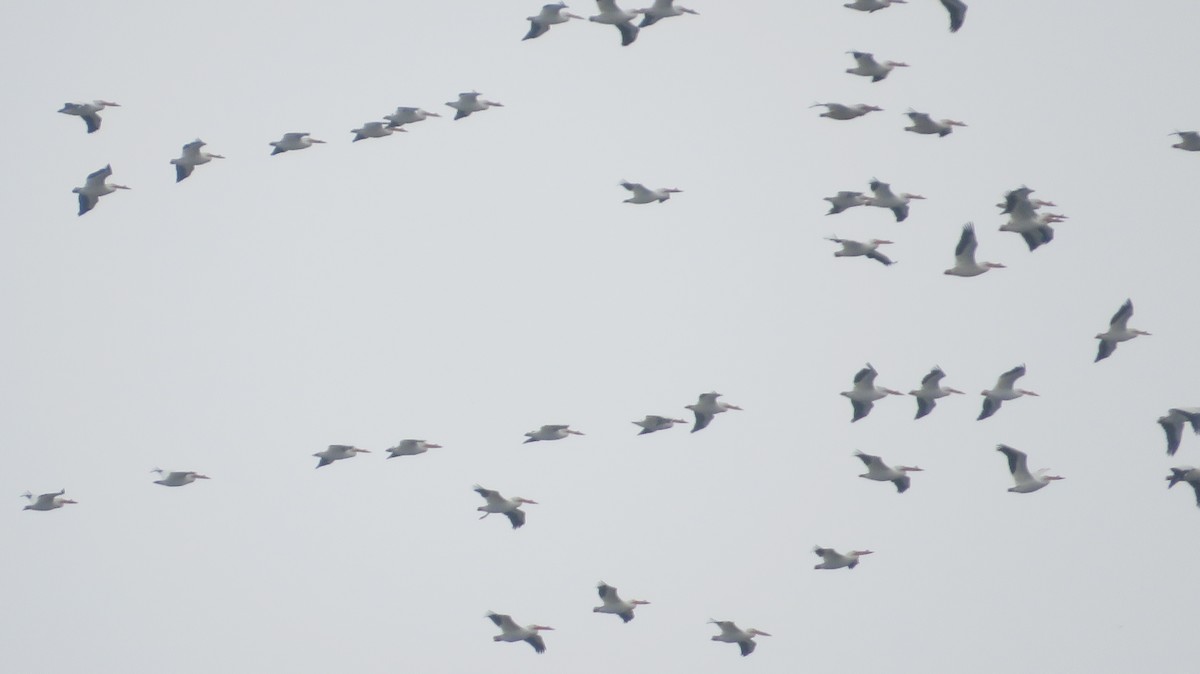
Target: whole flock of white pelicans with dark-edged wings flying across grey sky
1024,219
